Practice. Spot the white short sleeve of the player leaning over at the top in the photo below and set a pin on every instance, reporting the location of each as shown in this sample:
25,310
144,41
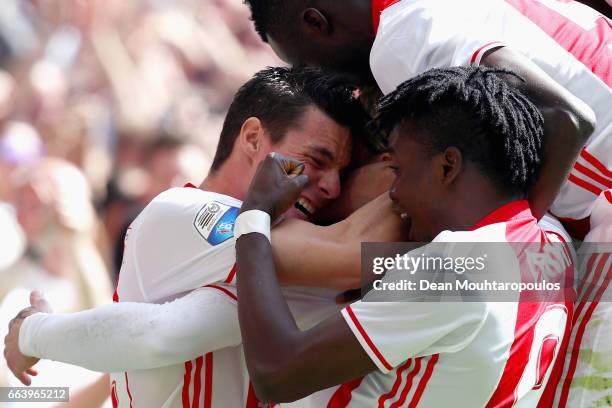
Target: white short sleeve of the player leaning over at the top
420,35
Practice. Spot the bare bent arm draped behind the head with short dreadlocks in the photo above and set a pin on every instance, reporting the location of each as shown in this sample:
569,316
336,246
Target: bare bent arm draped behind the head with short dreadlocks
568,123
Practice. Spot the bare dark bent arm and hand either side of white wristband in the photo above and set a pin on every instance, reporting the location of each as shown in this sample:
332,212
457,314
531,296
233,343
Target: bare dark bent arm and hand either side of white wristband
281,364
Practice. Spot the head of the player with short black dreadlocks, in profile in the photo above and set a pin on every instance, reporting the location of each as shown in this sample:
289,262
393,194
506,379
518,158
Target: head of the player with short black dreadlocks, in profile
464,142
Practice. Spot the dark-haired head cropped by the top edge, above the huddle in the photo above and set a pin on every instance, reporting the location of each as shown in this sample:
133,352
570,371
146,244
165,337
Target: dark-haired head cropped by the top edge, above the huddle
333,34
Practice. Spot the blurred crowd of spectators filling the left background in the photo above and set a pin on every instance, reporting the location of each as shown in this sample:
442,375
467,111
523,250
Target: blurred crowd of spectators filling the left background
103,105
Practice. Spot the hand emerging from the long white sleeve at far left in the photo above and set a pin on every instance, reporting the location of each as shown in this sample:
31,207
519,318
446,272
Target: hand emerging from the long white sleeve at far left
19,364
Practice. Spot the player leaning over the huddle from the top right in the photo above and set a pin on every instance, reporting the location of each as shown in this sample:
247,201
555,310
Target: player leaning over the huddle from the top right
562,49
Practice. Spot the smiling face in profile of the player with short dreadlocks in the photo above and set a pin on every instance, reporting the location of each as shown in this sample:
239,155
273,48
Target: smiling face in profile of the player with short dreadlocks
415,191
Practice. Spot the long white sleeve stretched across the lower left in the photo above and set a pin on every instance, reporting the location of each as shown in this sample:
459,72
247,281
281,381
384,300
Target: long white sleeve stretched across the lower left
134,336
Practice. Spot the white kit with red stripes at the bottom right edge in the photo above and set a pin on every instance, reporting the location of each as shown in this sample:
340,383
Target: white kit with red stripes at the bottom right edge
587,375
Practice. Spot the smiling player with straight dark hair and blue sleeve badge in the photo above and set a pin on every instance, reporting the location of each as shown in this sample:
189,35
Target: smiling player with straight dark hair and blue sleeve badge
180,346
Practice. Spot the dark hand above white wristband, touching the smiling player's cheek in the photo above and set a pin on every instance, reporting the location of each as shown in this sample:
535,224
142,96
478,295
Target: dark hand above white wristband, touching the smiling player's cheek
276,186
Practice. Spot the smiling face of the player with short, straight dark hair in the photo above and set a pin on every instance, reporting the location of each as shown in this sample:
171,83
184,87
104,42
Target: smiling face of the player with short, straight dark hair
325,148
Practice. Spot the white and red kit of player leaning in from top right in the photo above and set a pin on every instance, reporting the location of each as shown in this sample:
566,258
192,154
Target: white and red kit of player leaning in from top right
571,43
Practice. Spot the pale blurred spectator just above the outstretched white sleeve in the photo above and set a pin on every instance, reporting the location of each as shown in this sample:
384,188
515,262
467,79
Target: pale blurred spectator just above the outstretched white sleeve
55,211
